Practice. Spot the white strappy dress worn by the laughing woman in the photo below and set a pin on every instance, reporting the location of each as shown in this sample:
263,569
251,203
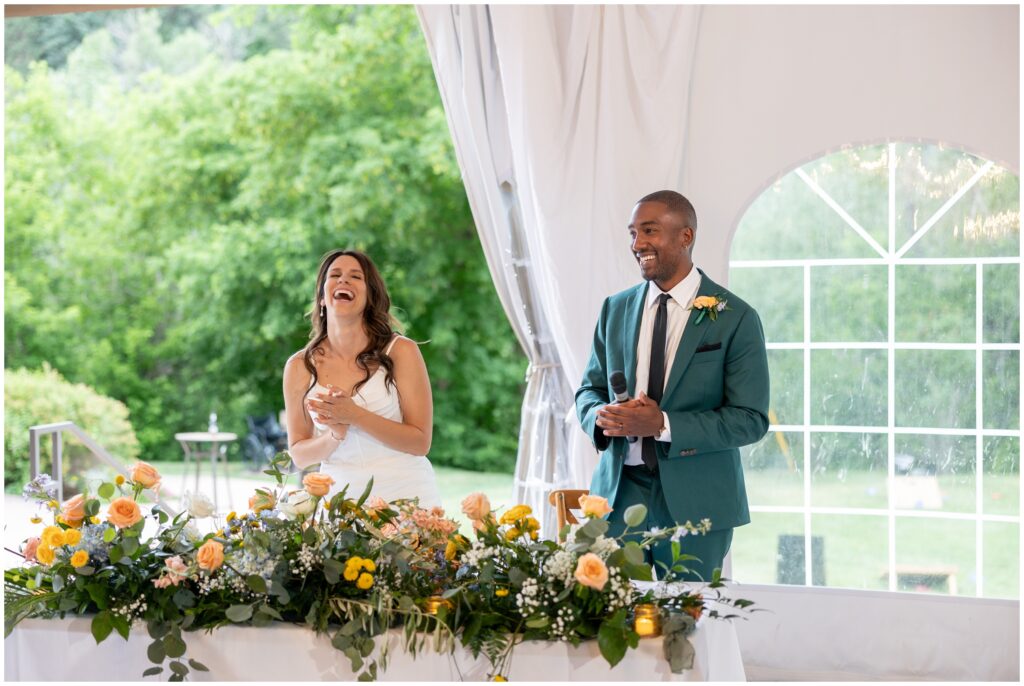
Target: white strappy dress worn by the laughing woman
361,457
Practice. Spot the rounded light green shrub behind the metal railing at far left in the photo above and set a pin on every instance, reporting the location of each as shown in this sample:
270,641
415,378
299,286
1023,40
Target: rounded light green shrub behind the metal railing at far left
45,397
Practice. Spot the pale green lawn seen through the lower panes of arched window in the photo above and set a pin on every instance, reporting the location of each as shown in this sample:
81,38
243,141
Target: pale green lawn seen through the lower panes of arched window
856,548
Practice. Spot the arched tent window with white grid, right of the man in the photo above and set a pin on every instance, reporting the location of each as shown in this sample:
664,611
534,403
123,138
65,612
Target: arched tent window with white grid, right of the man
888,281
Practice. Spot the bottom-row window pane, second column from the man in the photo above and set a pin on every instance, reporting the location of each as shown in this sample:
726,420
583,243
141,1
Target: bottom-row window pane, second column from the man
856,548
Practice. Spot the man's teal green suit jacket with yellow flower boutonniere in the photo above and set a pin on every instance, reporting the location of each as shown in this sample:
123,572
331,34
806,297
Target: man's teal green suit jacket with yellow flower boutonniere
716,398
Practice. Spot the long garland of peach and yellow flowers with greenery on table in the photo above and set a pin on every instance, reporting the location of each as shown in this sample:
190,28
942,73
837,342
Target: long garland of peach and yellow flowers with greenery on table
351,569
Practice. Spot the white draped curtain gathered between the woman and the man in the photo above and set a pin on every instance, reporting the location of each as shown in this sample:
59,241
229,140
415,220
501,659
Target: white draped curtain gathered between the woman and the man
562,117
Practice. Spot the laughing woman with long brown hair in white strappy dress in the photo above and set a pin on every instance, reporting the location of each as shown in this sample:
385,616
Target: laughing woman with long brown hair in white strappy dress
358,396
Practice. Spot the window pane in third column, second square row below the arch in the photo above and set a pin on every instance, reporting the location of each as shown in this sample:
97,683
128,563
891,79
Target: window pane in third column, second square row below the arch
935,389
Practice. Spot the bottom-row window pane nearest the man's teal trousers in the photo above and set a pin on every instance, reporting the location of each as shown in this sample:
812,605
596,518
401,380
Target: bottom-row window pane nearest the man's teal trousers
764,551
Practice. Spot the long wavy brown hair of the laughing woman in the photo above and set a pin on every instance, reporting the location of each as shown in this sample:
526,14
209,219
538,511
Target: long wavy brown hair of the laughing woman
377,321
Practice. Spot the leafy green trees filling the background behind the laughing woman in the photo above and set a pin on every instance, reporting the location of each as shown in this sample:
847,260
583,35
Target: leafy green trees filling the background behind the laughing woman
173,178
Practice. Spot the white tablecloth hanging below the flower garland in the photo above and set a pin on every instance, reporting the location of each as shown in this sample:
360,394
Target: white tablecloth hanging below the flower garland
65,651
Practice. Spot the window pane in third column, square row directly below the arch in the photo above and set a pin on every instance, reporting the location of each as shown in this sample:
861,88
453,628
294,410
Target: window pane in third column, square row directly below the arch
935,304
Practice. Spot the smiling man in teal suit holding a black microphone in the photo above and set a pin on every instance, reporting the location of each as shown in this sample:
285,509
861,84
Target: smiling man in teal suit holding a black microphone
697,373
